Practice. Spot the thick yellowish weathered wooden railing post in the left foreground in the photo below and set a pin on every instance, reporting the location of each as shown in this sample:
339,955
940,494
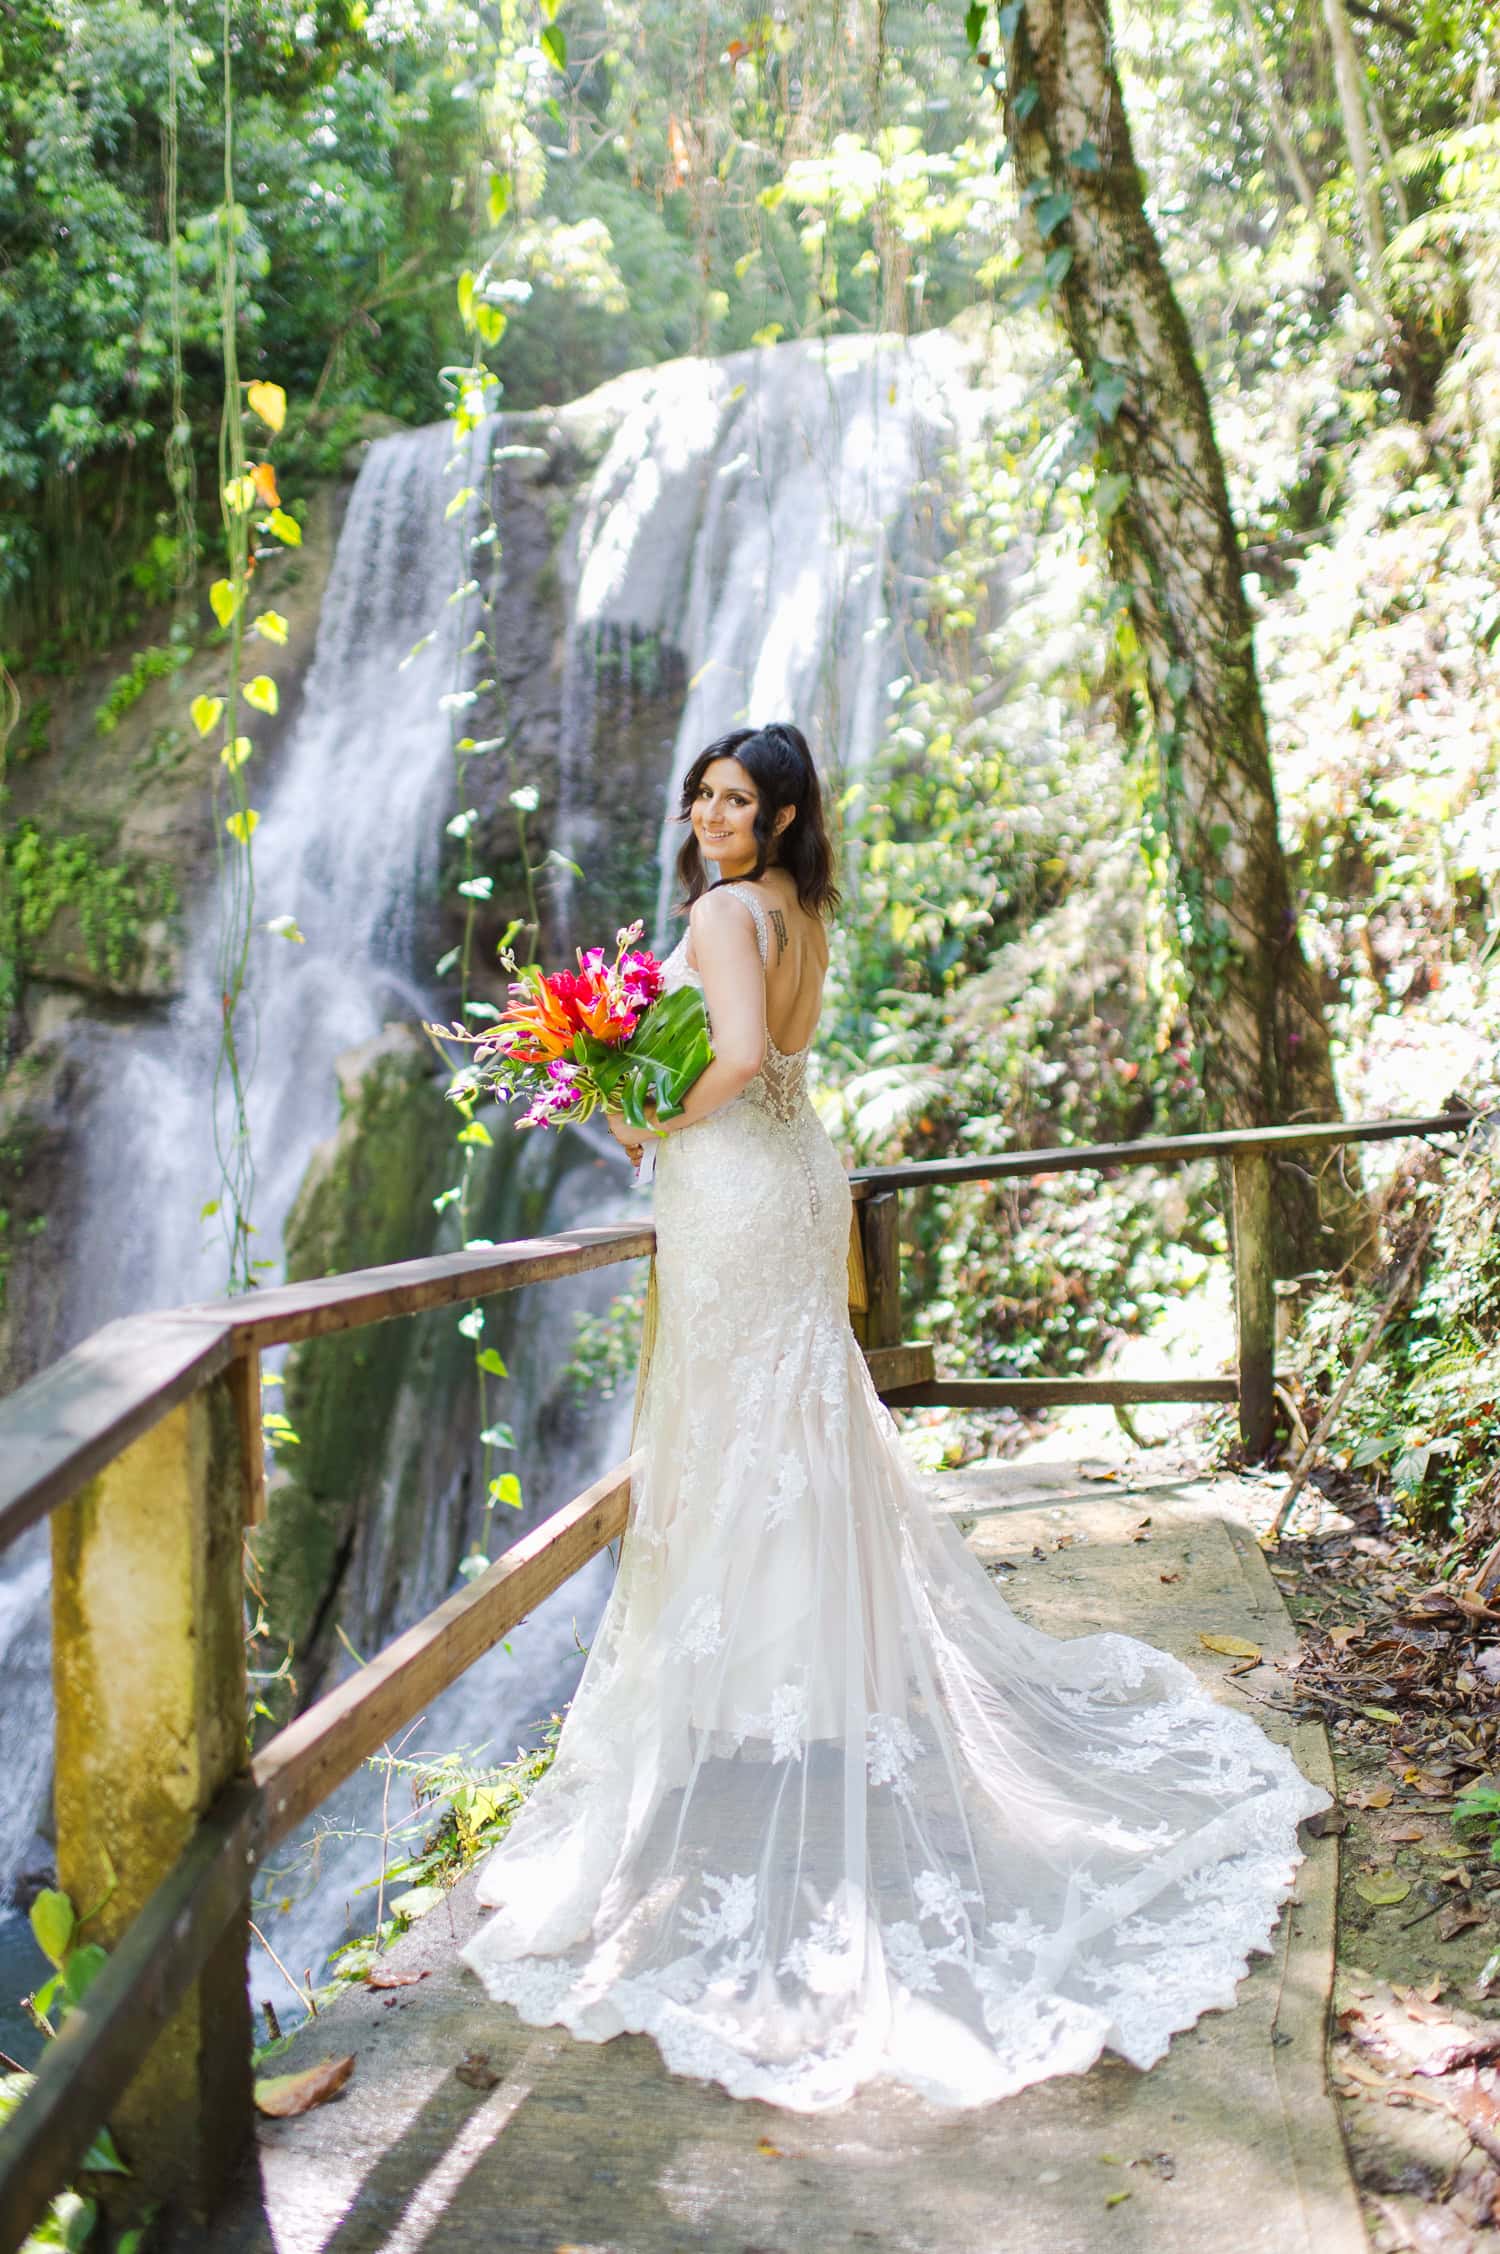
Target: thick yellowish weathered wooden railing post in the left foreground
150,1678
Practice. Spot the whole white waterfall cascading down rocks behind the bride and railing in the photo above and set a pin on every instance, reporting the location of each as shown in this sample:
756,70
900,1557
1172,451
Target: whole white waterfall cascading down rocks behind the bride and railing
757,517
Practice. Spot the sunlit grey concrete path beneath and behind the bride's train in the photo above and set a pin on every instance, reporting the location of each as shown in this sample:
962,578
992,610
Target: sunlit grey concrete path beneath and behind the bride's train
579,2149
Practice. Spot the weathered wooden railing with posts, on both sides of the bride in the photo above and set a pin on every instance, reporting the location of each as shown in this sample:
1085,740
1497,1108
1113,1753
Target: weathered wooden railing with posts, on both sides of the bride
145,1450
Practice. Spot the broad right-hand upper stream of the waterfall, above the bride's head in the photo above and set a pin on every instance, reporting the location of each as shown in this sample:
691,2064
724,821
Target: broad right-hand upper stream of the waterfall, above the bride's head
761,517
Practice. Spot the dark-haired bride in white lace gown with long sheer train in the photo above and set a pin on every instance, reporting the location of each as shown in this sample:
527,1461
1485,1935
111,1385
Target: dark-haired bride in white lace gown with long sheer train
824,1809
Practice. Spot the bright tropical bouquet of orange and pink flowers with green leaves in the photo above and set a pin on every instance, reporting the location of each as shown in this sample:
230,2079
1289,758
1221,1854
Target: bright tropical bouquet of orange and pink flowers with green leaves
601,1038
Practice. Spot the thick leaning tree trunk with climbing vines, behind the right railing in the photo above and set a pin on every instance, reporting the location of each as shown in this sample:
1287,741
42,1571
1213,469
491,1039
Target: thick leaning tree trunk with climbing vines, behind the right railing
1176,556
